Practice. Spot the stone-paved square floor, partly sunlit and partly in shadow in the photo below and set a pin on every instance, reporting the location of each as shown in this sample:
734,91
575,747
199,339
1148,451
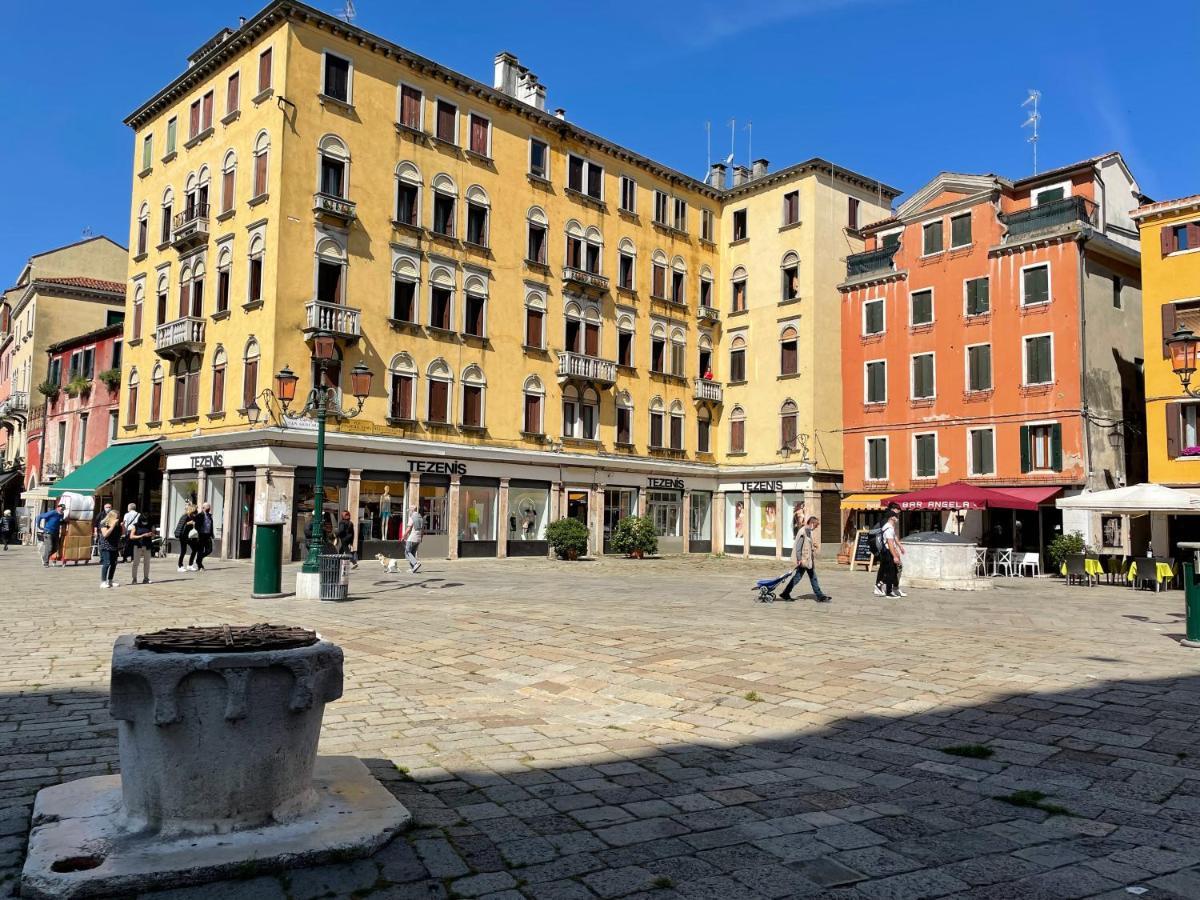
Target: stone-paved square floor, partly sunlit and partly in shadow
644,729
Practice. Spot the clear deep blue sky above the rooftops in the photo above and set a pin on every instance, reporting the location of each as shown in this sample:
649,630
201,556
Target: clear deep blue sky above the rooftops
896,89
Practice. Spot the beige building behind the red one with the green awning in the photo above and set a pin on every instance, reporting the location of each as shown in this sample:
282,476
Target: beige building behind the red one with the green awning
58,295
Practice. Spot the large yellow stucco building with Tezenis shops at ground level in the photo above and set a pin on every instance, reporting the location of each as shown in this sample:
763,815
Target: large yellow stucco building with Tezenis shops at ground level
557,326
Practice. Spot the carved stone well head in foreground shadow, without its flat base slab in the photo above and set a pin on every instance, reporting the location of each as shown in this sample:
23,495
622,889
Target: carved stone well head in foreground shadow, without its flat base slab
219,727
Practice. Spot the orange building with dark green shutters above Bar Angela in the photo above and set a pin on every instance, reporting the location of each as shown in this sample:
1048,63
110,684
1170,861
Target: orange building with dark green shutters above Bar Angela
992,335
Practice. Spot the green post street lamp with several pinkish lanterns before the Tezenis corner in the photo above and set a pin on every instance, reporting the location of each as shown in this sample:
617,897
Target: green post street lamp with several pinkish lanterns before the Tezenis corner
320,404
